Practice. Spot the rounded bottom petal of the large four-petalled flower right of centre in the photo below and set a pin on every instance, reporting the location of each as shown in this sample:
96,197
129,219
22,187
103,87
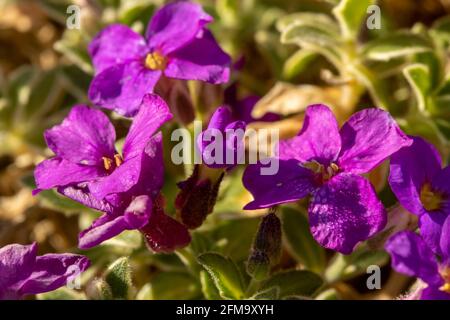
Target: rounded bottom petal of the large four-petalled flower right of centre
345,211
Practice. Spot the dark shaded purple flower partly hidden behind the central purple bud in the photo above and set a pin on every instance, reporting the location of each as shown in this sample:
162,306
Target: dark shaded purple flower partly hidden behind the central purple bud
242,108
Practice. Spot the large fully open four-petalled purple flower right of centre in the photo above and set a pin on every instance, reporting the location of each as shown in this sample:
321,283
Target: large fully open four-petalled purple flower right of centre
327,162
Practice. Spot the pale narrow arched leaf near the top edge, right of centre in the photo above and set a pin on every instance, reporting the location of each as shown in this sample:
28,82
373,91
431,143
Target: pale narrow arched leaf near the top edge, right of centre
319,20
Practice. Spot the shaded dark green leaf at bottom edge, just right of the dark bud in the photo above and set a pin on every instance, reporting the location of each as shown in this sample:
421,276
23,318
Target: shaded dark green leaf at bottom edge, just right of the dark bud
294,282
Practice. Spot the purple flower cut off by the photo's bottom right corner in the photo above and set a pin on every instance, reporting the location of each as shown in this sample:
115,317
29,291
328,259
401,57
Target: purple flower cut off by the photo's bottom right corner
412,256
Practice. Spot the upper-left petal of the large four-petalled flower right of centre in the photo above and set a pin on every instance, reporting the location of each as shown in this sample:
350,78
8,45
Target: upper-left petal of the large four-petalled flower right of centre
311,143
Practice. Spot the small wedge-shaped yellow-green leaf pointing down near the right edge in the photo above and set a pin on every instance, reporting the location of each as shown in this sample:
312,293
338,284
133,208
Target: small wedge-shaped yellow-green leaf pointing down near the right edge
418,76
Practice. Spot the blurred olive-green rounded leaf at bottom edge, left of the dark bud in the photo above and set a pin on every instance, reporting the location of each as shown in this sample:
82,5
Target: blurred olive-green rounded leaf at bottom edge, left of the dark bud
172,286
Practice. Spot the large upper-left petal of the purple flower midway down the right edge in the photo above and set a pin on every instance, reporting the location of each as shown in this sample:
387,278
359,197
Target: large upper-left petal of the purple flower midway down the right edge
412,167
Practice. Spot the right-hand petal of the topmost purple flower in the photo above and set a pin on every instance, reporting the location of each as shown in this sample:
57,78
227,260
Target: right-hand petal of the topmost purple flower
202,59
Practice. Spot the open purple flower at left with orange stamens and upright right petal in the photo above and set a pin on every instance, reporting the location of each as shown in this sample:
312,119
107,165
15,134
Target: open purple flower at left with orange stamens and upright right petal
85,155
